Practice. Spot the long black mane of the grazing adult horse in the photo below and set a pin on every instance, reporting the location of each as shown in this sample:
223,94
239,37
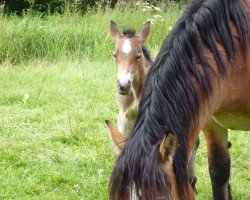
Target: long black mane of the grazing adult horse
170,100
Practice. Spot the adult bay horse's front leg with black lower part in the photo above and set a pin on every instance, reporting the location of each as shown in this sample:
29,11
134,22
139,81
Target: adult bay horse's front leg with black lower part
218,159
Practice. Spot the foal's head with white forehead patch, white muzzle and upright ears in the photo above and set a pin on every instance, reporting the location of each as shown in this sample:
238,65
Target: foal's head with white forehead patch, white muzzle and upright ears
131,57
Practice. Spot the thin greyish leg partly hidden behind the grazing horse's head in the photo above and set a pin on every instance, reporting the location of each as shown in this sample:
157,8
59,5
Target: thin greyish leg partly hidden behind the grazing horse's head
191,166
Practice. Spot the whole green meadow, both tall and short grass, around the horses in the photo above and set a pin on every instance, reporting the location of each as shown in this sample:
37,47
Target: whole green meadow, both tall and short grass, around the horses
57,86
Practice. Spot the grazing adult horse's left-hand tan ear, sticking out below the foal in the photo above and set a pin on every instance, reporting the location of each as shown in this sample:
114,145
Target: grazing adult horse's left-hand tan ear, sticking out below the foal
118,138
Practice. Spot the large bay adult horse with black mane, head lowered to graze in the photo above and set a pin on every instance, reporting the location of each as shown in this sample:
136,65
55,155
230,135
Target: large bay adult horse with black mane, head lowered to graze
200,80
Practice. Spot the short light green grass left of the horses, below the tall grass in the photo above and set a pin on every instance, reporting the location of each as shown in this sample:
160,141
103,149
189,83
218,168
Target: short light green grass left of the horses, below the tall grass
54,142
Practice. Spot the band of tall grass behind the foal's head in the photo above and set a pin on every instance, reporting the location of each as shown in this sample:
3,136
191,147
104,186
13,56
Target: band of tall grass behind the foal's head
74,35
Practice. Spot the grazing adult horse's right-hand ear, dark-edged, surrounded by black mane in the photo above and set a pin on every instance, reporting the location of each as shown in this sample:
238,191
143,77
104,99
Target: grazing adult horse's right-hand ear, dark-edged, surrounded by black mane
168,146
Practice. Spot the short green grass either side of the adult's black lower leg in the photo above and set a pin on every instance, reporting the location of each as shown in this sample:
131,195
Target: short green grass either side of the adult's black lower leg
240,165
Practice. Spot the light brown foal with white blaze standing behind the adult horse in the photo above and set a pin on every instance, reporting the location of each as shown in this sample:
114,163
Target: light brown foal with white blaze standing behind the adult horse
132,64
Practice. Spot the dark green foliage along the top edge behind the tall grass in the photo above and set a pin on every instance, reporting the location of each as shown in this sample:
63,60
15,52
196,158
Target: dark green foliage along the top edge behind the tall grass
59,6
